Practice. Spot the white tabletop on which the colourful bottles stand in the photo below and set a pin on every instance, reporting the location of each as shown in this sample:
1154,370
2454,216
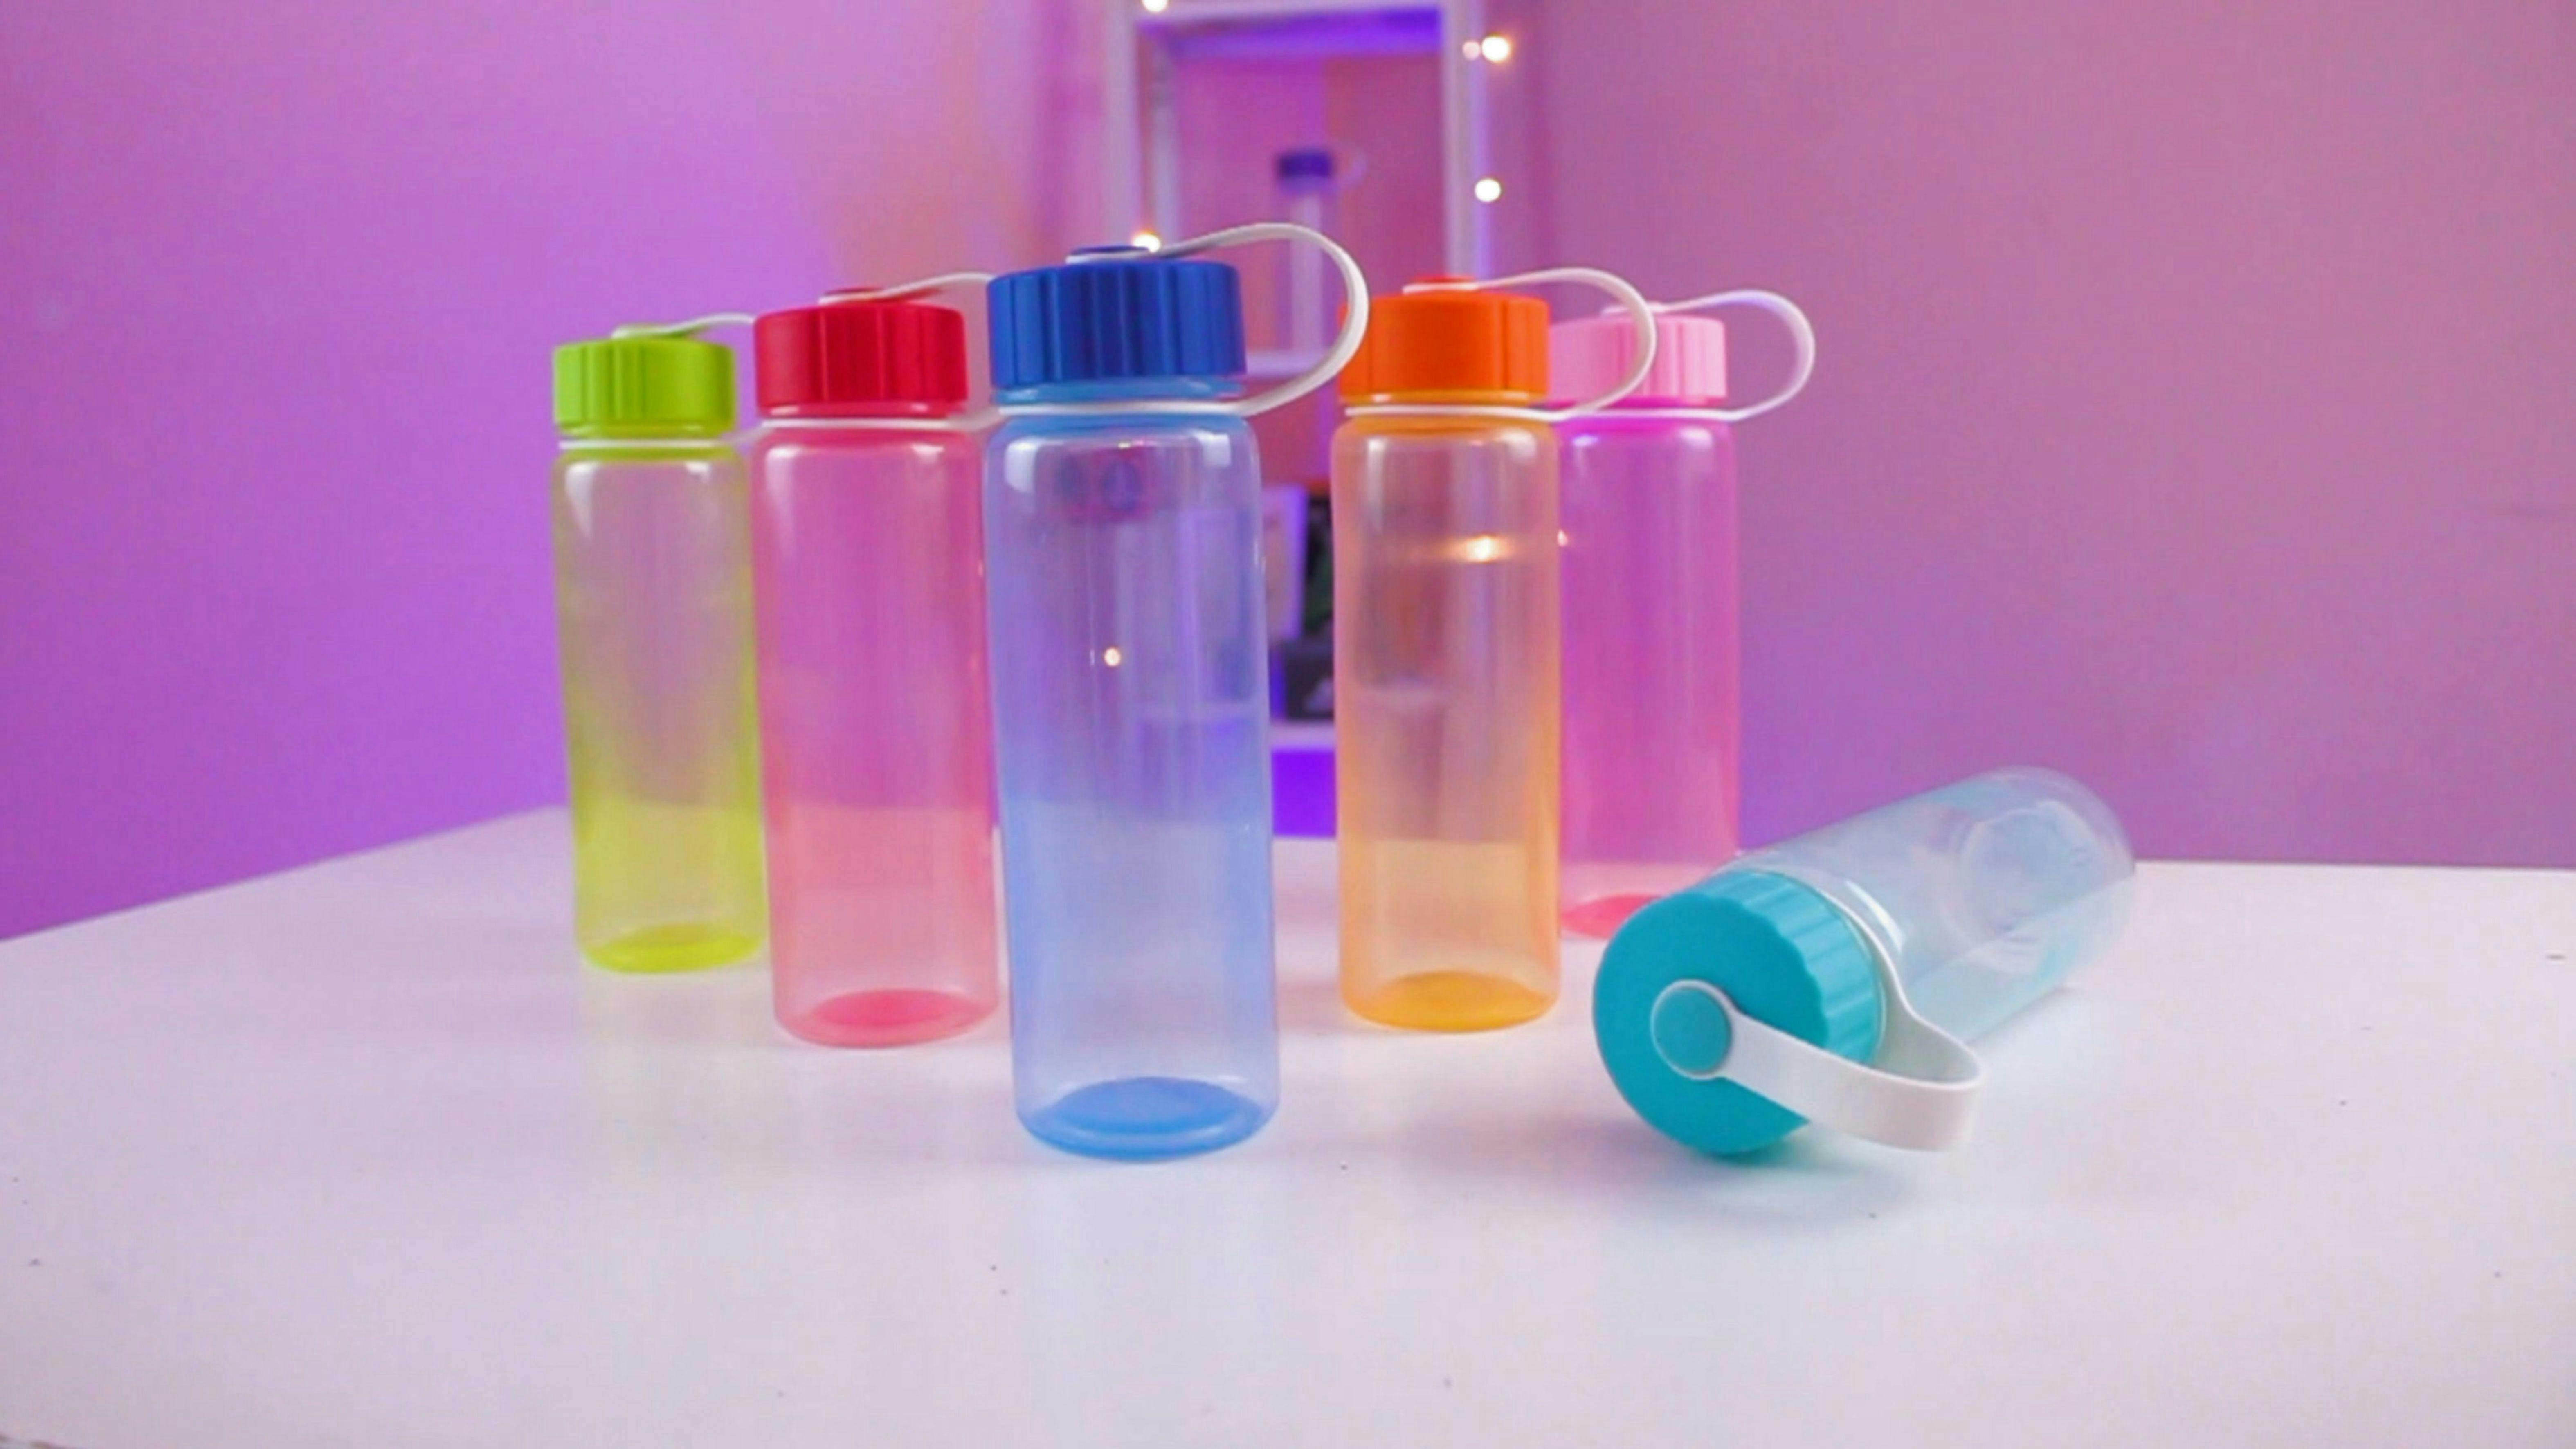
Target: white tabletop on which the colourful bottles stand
362,1157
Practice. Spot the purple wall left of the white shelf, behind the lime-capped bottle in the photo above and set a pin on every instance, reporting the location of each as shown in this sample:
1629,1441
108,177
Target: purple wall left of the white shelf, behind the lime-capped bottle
279,290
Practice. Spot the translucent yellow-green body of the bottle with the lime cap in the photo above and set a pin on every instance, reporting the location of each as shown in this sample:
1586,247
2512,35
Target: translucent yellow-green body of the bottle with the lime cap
656,624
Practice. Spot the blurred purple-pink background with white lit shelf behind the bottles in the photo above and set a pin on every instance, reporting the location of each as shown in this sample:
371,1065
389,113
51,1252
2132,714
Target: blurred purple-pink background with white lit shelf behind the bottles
2193,405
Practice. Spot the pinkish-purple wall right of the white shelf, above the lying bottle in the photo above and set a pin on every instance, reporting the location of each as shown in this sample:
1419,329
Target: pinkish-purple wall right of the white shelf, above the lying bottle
2196,403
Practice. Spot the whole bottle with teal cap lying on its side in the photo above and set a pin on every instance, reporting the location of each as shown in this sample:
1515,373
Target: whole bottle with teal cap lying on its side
1892,938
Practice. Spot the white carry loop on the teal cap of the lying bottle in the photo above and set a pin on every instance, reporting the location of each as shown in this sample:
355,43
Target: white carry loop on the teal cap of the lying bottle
1915,1093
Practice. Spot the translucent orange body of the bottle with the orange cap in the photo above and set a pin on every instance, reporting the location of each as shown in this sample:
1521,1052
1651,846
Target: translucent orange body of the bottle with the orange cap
1446,719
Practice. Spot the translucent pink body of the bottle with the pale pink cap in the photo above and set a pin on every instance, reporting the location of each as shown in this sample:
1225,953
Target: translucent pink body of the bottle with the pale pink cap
1650,624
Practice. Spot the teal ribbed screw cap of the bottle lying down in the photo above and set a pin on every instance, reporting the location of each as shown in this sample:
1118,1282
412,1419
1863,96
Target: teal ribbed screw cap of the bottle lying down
1779,951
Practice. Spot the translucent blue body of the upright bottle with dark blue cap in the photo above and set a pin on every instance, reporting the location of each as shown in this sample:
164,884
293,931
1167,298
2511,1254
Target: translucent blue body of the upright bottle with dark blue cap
1132,704
